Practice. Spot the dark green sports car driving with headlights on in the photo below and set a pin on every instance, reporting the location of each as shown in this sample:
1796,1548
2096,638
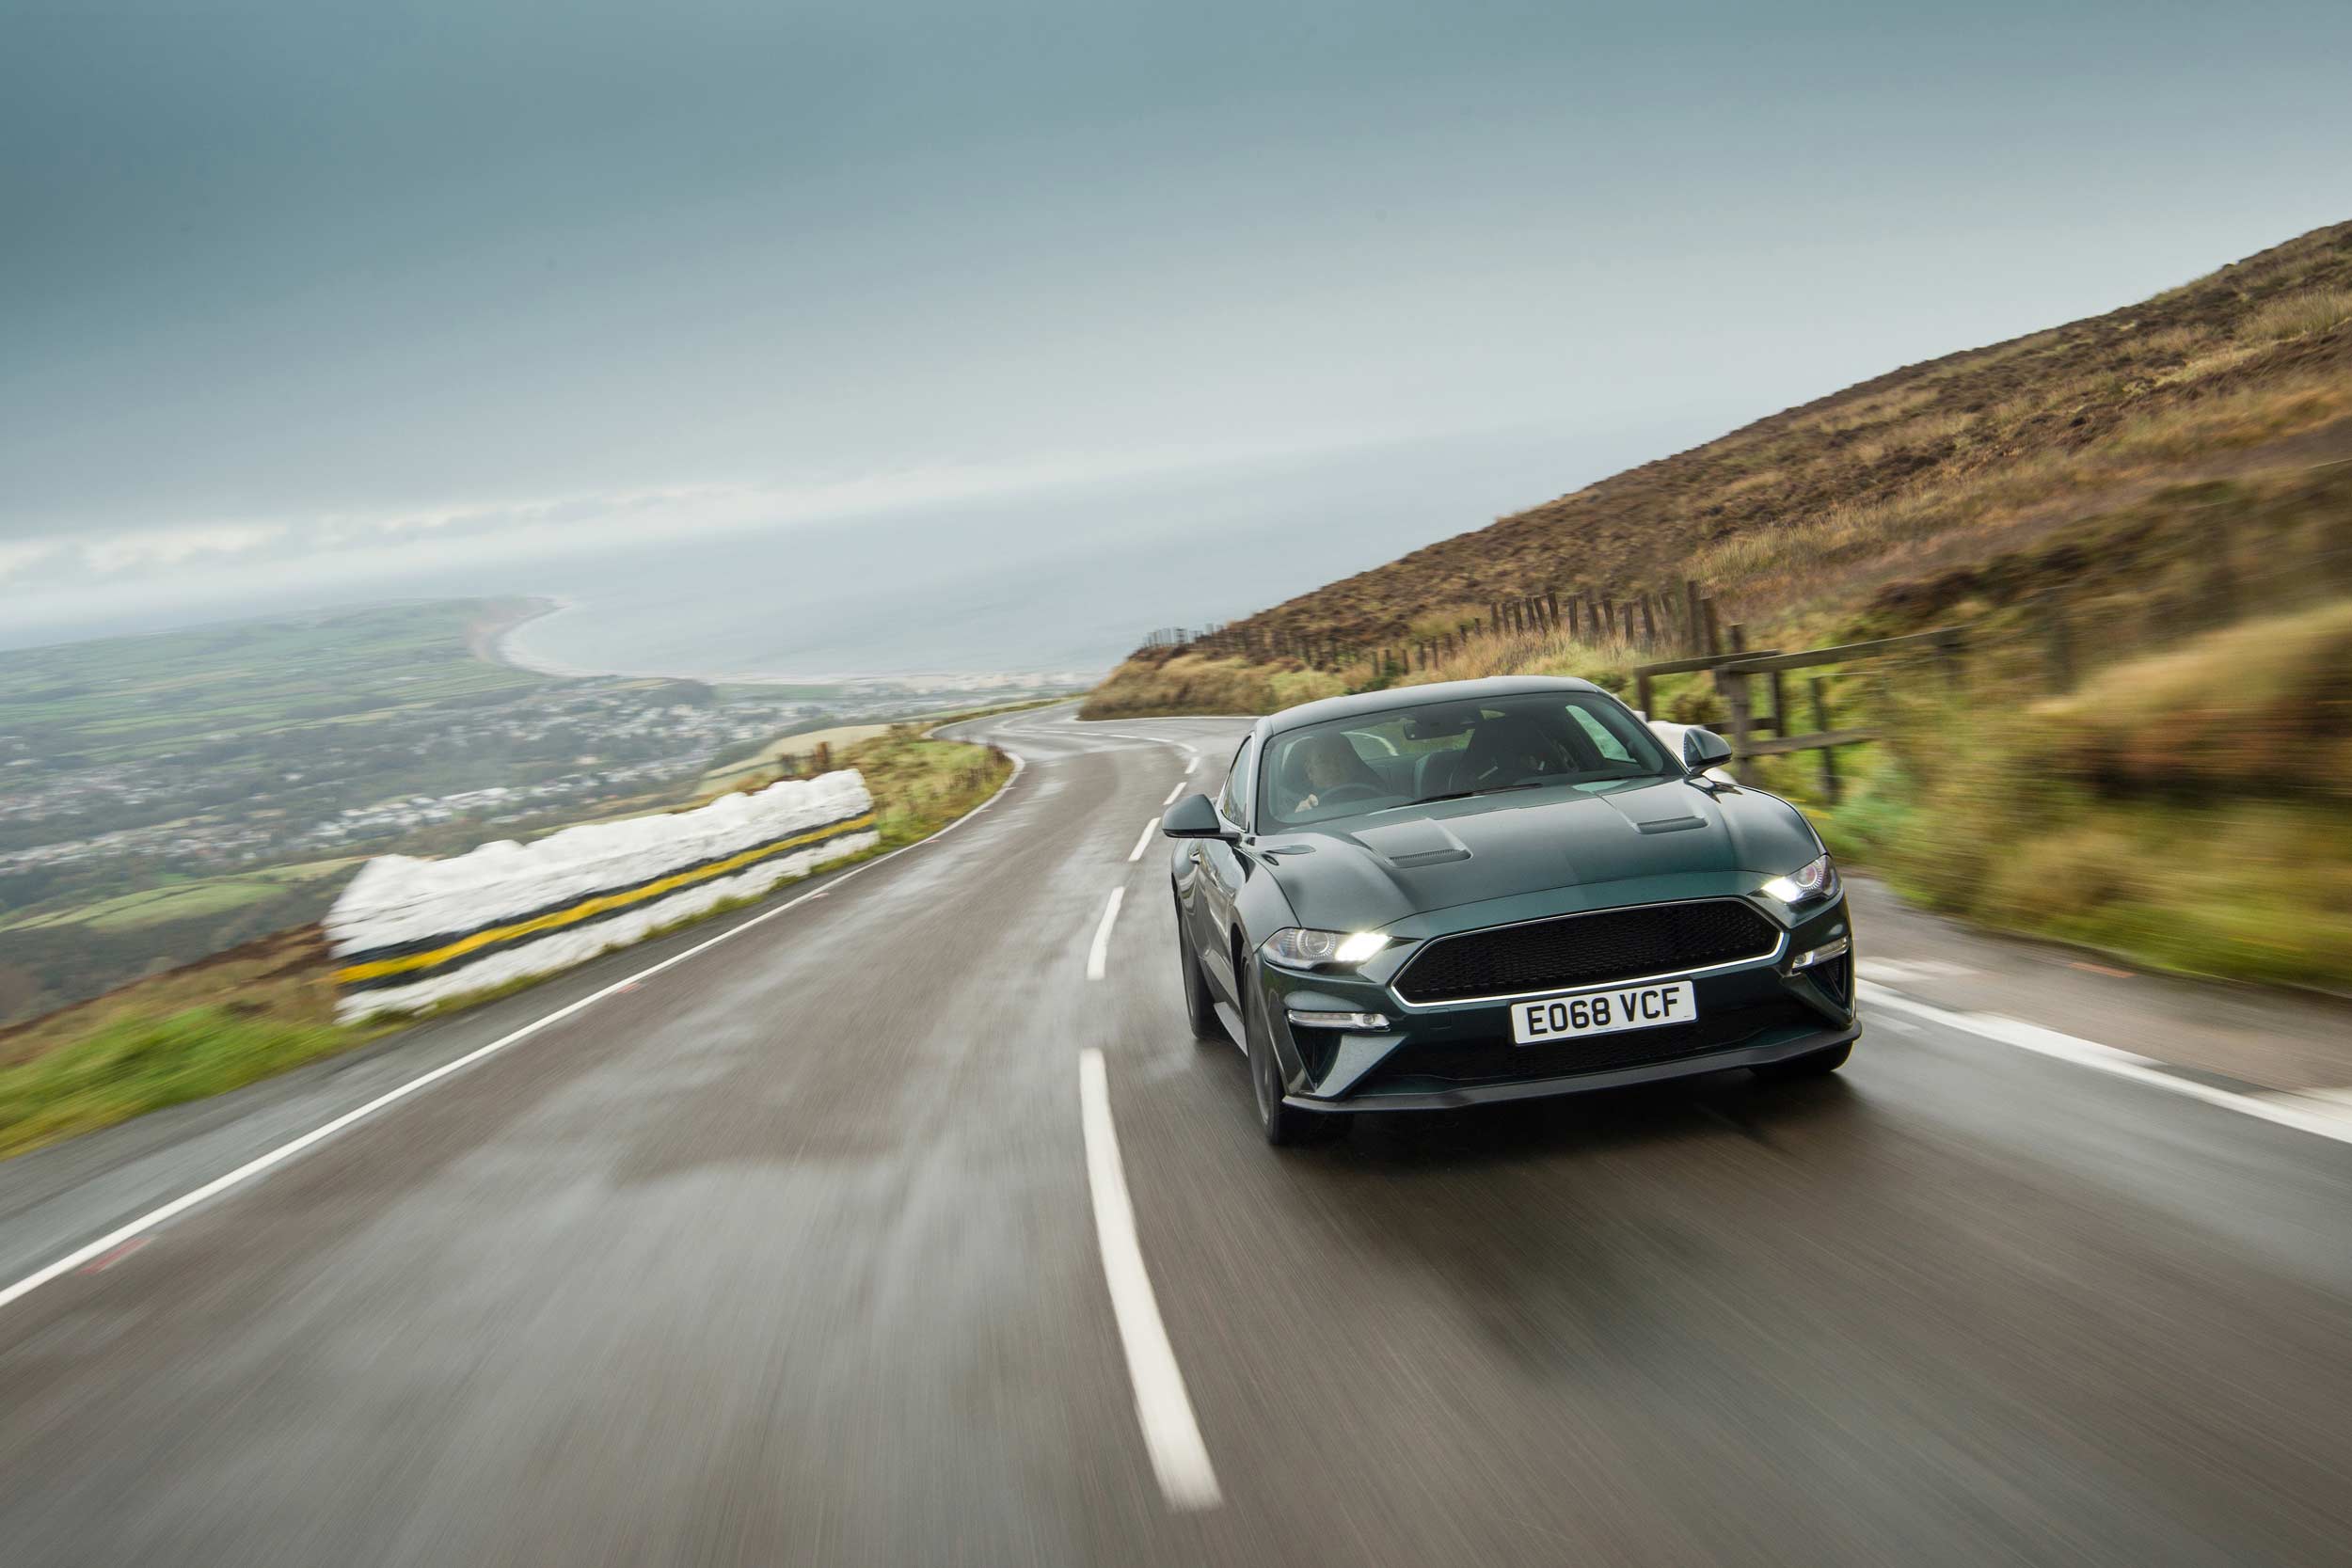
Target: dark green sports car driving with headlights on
1499,890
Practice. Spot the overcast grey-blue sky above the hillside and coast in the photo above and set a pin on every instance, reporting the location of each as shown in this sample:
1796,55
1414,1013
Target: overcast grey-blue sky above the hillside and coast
307,300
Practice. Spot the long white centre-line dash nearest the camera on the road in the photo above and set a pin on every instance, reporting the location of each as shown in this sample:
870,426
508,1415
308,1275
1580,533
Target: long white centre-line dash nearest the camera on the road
1163,1407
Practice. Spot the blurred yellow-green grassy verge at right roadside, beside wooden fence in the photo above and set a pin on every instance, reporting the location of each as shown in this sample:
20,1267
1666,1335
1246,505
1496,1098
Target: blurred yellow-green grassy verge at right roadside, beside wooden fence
2186,812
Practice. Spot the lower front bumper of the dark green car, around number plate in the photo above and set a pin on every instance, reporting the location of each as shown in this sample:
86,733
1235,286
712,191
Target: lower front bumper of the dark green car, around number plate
1462,1054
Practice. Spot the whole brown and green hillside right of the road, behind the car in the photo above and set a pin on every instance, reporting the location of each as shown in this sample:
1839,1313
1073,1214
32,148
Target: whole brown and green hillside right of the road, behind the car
2141,521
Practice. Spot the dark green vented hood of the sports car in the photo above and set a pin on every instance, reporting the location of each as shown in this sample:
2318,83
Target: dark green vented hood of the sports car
1365,873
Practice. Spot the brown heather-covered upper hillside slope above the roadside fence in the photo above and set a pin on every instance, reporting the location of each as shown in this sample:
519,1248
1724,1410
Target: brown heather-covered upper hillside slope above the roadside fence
1932,464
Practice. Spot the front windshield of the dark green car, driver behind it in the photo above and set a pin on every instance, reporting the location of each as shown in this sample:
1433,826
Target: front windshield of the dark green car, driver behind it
1448,751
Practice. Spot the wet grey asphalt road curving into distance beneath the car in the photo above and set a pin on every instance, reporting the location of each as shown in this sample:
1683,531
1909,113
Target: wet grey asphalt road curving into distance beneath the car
799,1254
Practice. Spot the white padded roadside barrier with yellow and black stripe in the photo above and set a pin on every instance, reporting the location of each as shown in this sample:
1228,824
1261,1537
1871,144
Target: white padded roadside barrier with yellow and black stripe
408,932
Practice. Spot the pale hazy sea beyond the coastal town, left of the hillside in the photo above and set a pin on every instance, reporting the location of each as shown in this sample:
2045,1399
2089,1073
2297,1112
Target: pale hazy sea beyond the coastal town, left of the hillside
1060,584
